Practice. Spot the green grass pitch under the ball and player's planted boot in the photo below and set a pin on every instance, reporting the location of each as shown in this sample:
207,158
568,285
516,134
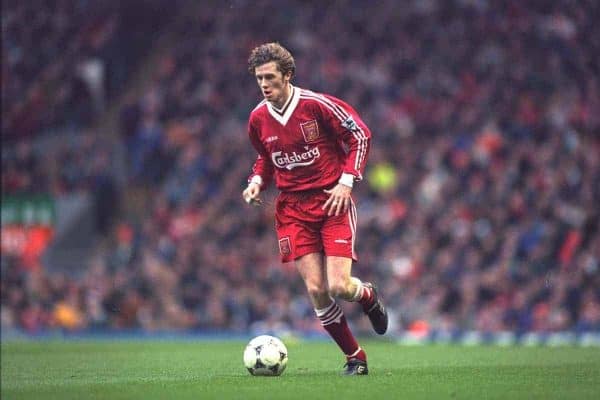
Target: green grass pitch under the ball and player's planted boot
205,370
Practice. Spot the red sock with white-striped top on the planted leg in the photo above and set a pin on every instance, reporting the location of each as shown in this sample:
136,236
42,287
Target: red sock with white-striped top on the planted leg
333,320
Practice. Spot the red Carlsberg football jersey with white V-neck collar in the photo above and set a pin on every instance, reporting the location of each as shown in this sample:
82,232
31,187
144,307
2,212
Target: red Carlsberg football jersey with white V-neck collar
309,143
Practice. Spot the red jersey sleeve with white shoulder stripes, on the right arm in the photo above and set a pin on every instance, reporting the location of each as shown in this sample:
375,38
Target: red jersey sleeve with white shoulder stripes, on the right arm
347,125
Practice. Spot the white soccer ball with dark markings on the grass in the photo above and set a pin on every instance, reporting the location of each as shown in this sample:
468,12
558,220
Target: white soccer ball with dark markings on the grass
265,356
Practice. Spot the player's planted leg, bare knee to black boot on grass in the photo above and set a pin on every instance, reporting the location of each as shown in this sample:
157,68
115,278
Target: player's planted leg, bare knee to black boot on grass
330,314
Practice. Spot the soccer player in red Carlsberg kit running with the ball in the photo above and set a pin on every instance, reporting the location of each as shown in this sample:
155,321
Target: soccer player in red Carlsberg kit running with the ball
315,147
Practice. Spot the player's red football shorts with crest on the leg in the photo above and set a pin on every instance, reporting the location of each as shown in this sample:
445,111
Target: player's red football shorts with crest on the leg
304,228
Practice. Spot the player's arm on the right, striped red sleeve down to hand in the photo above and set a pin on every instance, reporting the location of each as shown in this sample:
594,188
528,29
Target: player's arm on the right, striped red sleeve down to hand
345,122
